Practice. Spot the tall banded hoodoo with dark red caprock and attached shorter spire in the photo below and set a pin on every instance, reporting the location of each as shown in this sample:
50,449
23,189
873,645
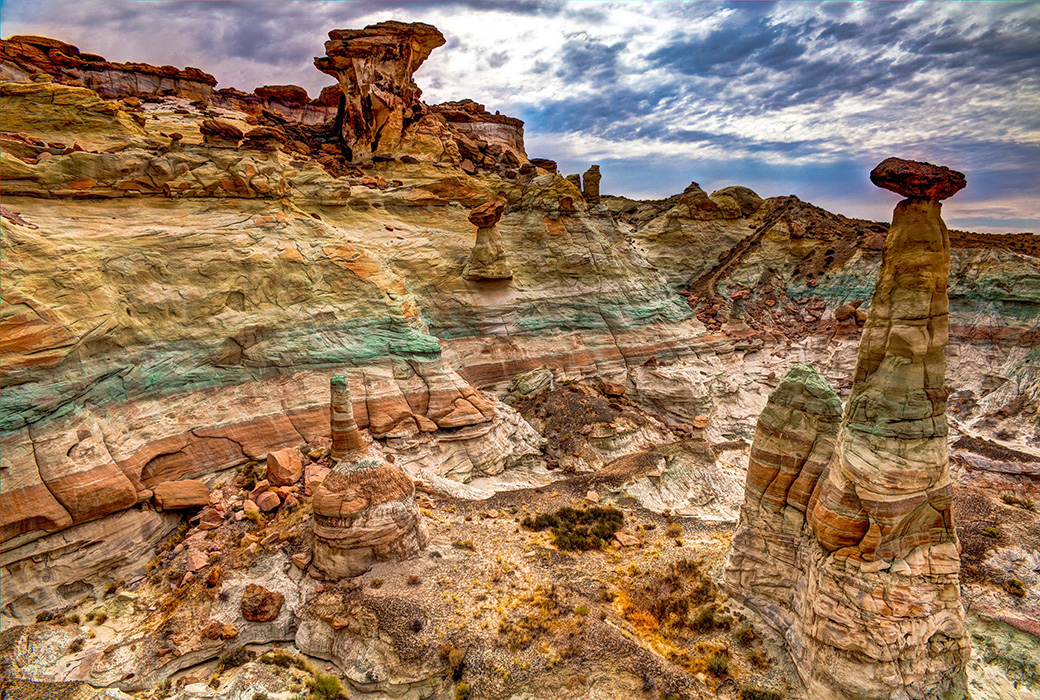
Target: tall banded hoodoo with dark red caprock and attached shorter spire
867,589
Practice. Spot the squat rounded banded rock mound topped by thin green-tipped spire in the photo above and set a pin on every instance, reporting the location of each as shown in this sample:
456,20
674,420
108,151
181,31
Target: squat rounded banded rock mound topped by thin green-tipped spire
366,510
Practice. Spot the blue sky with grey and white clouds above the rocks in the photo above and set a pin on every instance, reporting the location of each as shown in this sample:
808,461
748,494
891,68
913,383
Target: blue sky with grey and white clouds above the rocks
788,98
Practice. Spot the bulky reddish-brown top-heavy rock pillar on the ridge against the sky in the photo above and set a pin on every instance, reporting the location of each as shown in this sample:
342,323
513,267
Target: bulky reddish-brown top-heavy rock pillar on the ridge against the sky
375,68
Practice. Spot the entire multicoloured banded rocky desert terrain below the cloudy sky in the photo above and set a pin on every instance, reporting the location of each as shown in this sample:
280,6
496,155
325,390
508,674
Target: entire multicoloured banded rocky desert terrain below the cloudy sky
187,269
